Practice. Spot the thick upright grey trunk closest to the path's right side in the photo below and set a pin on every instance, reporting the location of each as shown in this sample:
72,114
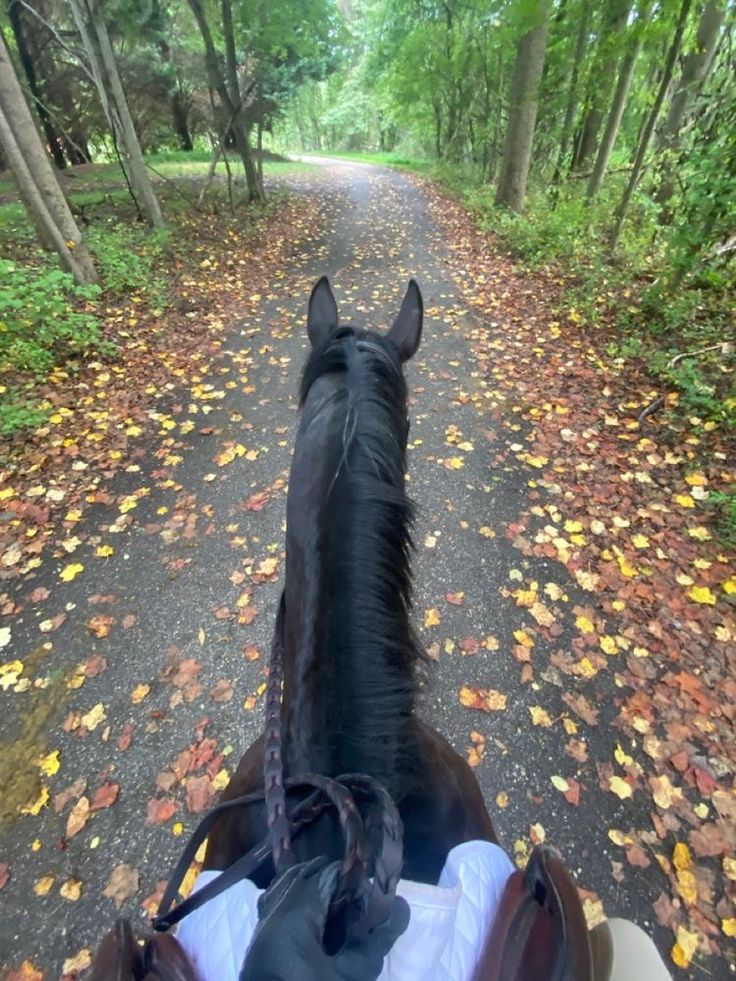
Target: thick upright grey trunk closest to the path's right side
530,51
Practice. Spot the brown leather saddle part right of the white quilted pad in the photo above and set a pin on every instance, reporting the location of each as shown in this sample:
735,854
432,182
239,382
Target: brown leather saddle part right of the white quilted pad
539,932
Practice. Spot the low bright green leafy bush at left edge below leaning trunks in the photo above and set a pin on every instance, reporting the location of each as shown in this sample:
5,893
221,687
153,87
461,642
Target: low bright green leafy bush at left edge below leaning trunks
41,321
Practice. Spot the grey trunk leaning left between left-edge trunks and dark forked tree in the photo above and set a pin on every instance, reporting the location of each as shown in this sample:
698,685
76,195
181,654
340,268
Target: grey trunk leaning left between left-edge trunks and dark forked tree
93,30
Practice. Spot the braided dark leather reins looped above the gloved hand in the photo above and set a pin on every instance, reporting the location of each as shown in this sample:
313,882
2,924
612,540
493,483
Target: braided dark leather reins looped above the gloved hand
369,821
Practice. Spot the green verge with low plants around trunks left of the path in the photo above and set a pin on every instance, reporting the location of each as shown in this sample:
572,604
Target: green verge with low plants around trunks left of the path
48,325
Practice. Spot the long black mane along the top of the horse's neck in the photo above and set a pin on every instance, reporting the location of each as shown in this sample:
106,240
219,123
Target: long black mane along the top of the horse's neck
366,640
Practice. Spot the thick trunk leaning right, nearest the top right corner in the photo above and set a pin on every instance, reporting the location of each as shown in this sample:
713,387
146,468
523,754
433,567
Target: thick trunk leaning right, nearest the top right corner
695,68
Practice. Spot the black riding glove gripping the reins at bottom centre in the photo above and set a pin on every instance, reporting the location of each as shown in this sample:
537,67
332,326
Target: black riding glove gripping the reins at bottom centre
287,943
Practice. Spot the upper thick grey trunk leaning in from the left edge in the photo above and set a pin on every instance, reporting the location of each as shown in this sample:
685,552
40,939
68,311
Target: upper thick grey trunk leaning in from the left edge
36,178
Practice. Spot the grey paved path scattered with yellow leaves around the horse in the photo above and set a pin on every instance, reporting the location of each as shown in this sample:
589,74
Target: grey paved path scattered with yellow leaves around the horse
181,565
